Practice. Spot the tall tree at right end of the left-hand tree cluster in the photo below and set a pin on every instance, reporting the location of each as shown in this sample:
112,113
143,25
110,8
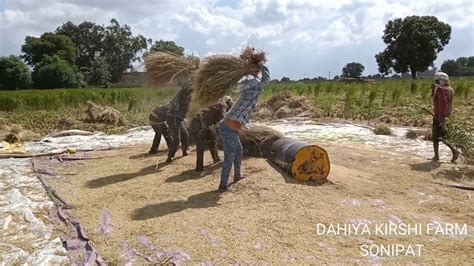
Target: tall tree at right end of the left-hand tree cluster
121,48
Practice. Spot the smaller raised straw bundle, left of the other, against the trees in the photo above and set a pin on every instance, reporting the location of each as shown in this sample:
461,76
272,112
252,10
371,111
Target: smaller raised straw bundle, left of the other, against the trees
163,68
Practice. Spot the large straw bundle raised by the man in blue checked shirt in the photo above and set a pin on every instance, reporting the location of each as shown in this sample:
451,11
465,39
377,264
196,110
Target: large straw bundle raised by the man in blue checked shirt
220,73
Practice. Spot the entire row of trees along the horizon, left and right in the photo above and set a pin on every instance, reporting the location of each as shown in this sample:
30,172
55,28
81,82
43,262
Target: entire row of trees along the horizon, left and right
89,54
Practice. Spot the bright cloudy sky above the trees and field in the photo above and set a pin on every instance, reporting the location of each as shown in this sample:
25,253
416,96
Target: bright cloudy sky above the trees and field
303,38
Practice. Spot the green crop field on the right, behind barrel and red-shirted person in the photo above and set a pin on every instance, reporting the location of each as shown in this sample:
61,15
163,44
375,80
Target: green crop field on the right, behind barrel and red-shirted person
369,101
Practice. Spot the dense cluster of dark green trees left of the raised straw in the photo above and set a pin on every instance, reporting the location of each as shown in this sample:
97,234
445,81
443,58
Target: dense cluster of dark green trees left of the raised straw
80,55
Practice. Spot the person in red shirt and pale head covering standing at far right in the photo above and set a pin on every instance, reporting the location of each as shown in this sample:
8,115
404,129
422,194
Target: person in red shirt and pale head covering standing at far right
443,96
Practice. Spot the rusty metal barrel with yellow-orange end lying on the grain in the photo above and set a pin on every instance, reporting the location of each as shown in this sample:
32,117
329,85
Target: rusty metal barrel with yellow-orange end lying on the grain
301,160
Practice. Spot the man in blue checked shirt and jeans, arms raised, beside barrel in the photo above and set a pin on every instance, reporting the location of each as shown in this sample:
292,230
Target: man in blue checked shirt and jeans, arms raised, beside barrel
234,122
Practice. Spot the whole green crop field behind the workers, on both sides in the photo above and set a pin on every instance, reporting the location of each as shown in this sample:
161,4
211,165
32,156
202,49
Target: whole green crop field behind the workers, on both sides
386,101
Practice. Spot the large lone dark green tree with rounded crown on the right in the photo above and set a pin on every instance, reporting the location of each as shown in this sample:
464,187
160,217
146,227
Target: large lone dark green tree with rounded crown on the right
412,44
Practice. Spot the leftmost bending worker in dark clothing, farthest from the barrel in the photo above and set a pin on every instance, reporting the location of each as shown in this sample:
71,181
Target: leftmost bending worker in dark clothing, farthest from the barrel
158,123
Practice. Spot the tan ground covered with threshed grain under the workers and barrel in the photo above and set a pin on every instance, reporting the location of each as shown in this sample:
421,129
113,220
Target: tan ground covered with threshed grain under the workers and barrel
269,217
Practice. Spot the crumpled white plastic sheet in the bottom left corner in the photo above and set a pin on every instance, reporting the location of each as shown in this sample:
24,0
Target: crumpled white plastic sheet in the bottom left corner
26,232
